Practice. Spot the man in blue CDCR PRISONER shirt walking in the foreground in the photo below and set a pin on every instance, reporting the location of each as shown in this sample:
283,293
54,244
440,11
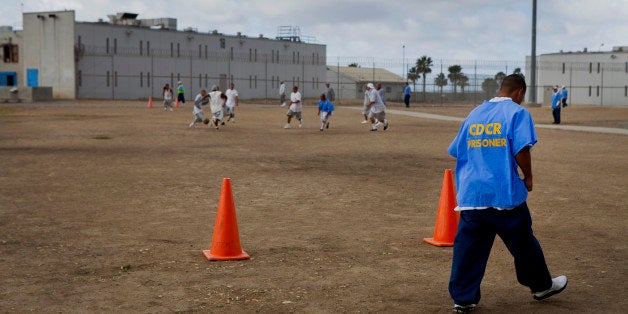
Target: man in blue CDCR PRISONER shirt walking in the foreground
493,142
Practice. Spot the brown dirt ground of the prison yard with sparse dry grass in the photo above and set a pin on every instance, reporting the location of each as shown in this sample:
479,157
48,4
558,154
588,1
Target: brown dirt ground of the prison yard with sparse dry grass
107,206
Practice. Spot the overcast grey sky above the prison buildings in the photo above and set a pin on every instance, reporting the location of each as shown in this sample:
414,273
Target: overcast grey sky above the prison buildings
441,29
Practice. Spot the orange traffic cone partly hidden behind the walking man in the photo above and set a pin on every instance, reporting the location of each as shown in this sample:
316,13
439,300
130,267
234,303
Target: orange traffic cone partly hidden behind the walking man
447,218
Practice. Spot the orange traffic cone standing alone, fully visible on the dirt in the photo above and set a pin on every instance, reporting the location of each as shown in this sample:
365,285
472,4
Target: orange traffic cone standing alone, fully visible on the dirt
226,240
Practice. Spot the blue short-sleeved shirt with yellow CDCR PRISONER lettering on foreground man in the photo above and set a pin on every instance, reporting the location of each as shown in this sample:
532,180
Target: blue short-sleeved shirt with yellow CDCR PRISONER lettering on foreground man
485,149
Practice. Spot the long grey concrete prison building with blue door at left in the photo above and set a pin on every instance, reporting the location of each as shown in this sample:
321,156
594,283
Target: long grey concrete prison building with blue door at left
129,58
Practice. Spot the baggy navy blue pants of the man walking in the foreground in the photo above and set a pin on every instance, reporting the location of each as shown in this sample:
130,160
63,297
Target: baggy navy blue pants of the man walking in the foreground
473,243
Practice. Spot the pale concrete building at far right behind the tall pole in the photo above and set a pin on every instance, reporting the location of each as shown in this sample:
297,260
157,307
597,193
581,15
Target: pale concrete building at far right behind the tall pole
592,78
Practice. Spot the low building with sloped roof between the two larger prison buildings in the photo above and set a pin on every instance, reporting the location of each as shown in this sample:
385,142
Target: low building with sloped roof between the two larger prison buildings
348,82
